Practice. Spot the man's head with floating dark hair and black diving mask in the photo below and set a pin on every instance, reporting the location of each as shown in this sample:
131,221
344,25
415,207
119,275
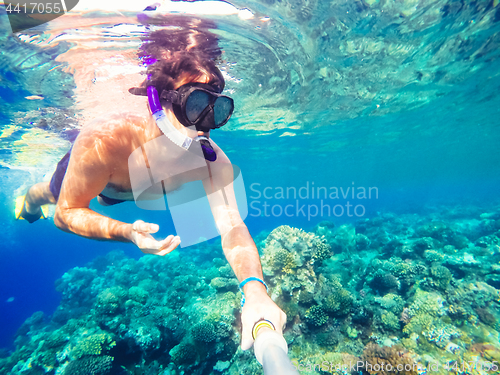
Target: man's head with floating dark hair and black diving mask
181,66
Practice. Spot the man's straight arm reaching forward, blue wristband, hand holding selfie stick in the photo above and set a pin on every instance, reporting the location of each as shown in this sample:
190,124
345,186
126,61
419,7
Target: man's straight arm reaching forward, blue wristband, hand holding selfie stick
240,250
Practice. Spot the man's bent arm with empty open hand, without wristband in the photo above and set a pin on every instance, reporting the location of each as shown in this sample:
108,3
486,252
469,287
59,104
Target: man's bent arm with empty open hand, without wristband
88,173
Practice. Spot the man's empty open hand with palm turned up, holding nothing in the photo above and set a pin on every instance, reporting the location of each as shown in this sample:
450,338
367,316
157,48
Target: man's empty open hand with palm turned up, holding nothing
140,234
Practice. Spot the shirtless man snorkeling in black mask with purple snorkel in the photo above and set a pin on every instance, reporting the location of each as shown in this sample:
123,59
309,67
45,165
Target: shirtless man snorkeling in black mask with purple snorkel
184,91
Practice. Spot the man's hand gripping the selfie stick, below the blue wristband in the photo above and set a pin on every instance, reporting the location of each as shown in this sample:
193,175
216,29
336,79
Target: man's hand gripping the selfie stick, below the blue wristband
258,305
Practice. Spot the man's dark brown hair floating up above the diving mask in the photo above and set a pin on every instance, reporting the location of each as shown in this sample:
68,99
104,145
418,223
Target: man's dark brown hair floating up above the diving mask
171,52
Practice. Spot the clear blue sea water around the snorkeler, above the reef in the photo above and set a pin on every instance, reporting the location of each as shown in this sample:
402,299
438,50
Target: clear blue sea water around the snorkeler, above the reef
442,152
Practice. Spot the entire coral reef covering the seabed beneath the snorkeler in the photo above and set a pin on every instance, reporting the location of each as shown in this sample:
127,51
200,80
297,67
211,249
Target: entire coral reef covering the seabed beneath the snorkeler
392,289
